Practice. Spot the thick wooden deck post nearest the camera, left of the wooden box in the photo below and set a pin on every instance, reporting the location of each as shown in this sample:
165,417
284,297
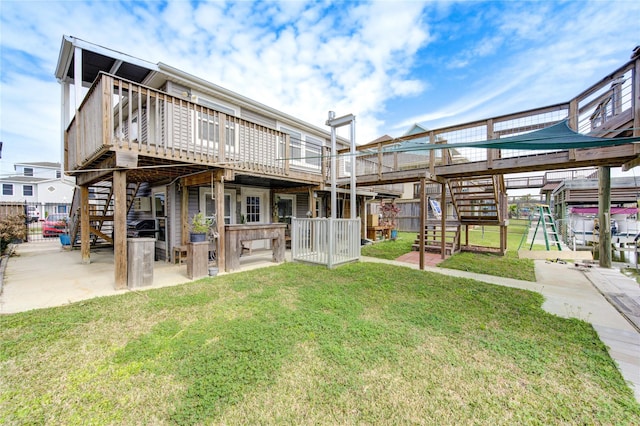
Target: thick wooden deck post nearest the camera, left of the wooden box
120,228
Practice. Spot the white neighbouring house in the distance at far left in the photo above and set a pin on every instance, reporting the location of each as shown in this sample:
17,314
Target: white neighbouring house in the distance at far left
40,186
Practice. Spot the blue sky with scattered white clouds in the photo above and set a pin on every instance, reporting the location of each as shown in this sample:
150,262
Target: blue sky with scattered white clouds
390,63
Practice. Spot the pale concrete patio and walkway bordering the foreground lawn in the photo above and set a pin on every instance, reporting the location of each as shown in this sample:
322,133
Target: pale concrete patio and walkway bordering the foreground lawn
42,275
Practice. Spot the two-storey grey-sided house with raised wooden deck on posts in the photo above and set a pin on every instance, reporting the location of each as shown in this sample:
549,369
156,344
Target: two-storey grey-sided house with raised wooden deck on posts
149,141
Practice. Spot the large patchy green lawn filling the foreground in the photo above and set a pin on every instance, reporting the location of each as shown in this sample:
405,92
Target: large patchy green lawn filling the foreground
361,344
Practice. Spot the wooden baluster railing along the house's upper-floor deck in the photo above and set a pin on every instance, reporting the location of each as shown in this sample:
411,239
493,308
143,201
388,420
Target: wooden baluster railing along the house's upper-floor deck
117,114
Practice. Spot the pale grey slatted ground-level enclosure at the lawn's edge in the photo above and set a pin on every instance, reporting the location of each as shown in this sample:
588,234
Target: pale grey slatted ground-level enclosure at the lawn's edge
323,241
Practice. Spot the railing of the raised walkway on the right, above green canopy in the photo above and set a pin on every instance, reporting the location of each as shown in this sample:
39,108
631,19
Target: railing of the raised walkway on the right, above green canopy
604,109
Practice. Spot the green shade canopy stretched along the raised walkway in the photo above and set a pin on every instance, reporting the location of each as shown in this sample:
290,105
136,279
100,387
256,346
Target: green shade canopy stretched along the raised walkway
557,136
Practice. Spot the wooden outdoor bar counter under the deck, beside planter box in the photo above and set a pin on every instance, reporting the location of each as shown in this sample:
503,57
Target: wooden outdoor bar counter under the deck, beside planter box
236,234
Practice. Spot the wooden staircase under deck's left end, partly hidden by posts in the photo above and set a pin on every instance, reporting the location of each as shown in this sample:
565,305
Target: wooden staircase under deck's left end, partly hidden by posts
101,210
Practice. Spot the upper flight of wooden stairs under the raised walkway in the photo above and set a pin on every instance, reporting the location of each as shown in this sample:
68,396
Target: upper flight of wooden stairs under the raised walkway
476,199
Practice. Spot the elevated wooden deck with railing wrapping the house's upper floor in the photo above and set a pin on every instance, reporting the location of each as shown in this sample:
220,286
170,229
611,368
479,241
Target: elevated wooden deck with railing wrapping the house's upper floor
157,137
